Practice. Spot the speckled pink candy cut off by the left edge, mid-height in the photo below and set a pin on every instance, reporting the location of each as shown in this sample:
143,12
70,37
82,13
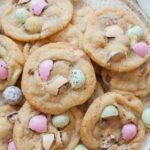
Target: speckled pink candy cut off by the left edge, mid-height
3,70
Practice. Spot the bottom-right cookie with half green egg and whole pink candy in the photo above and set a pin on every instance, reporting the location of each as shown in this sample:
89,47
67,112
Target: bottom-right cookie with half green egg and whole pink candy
113,122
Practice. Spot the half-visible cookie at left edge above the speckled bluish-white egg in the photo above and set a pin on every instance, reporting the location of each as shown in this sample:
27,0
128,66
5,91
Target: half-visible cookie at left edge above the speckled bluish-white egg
11,62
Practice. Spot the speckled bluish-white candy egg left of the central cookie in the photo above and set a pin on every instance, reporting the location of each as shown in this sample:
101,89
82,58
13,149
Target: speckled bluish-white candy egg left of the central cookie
12,95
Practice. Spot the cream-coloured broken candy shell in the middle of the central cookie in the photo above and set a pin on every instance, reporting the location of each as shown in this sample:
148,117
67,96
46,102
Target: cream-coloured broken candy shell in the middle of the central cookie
54,85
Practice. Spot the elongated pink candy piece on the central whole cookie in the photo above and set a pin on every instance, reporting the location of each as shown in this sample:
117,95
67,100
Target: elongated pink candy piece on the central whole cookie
44,69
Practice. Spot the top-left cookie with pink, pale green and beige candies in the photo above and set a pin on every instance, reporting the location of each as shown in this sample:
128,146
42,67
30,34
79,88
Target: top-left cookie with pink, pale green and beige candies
34,20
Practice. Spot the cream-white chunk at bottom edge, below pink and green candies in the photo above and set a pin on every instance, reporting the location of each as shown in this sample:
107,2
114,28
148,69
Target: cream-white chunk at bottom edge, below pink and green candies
48,140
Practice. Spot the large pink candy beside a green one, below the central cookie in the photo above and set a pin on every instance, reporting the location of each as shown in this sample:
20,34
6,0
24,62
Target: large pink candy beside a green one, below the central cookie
38,124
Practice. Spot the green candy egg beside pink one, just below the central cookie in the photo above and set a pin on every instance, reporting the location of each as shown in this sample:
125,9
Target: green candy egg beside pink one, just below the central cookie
60,121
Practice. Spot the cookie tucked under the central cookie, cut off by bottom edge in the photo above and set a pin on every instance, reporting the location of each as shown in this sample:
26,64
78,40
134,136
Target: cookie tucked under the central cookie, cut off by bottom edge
37,131
